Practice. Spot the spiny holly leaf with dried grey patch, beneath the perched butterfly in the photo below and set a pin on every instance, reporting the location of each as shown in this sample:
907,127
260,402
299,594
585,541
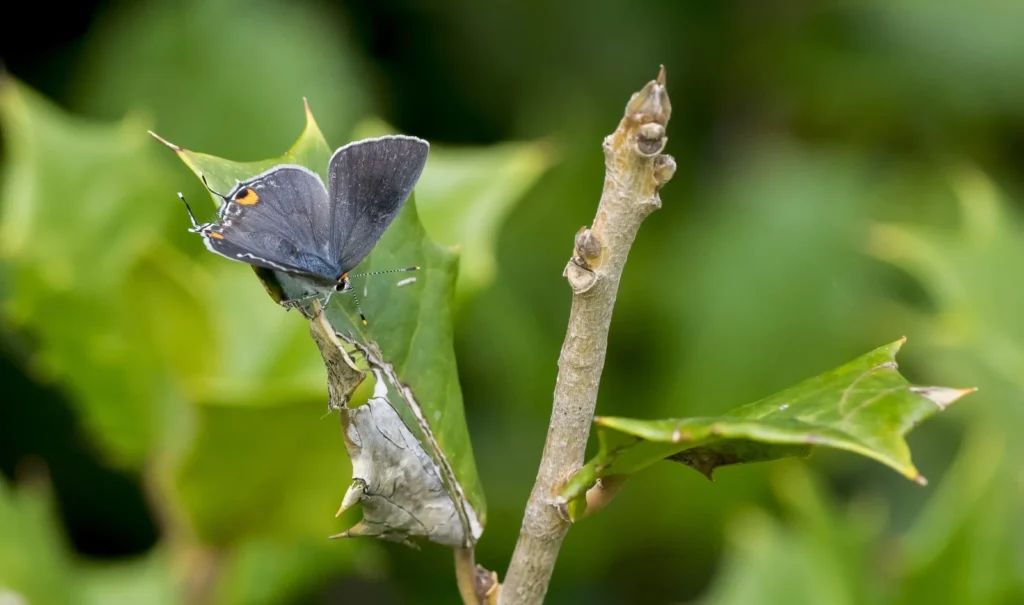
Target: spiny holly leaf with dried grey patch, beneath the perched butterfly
407,343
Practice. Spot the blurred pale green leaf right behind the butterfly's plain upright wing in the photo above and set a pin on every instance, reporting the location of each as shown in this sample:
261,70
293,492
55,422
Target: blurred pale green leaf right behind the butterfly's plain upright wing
466,194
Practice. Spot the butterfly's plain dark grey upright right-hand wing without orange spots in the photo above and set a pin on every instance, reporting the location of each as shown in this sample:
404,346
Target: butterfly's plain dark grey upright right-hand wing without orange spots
369,182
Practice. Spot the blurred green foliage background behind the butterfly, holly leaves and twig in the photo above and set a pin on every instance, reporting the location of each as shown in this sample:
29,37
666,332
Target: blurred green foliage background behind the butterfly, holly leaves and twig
849,174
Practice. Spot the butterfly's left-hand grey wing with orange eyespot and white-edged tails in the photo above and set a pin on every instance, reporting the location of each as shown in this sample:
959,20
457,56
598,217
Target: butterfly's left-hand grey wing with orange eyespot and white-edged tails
277,221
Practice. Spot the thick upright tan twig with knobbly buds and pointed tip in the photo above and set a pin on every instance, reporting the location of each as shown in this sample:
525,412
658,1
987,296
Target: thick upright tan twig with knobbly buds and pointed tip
635,170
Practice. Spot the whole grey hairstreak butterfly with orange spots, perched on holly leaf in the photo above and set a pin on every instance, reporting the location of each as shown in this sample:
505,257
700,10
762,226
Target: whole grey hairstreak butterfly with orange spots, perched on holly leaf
285,220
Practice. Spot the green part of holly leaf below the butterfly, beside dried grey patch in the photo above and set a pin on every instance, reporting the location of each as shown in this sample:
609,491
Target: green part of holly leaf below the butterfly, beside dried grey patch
412,327
